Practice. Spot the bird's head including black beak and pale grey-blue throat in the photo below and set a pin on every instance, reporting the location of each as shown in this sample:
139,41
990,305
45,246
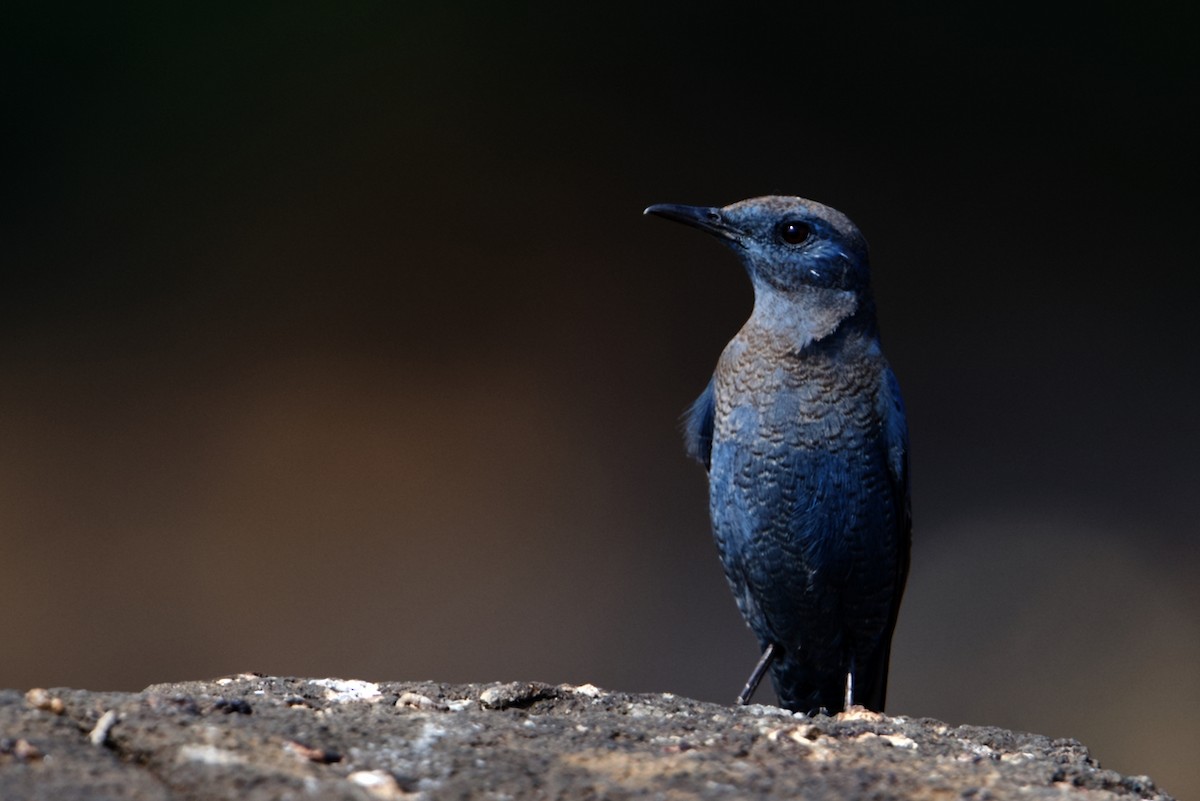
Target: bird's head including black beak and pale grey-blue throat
808,262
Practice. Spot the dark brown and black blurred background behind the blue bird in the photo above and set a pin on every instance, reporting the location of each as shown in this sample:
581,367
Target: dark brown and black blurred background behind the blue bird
333,342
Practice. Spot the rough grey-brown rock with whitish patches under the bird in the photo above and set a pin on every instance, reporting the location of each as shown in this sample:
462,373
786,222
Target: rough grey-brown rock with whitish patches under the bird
253,738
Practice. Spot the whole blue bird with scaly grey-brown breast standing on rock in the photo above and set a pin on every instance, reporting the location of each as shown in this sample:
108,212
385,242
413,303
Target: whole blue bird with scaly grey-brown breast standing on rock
803,433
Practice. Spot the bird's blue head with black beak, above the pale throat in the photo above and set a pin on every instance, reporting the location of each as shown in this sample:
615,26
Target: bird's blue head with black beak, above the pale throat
785,243
